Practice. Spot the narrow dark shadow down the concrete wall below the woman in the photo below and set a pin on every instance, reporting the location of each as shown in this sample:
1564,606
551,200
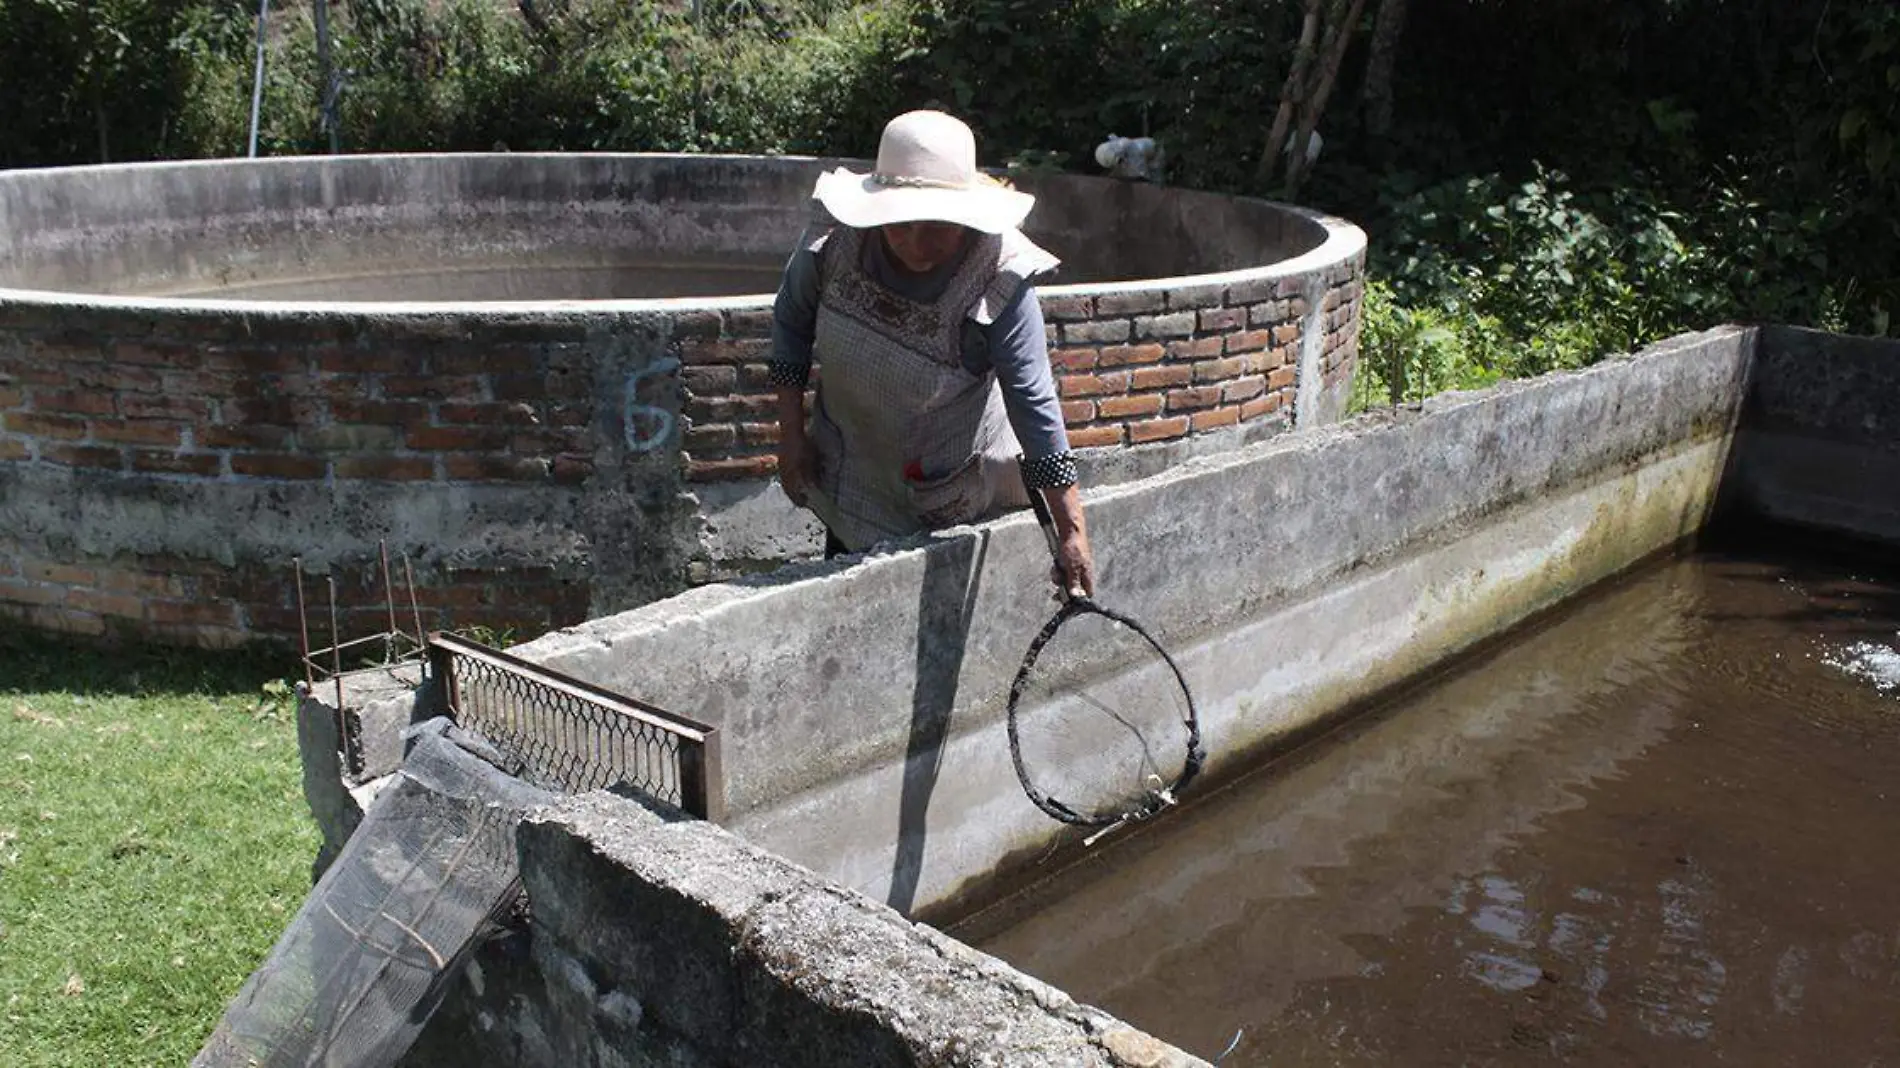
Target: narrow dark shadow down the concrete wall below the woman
953,575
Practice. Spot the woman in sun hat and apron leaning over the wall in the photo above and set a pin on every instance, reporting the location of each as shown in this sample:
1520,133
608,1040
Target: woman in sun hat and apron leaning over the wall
921,311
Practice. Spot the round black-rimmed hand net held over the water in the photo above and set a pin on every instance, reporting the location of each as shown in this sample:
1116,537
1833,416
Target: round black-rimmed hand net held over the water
1101,721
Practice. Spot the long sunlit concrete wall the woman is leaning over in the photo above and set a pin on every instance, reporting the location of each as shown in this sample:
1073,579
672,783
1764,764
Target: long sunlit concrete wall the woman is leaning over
864,702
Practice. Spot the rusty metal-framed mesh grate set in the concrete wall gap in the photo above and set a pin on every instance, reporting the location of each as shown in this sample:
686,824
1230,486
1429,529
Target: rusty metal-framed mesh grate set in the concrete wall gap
573,736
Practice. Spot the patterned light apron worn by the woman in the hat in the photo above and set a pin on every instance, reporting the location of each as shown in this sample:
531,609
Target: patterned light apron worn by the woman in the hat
907,438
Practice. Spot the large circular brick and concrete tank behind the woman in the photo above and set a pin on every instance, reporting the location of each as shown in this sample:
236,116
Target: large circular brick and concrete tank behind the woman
541,379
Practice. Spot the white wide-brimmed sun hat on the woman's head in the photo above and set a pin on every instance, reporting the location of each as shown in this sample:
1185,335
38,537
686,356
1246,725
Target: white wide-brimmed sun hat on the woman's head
926,174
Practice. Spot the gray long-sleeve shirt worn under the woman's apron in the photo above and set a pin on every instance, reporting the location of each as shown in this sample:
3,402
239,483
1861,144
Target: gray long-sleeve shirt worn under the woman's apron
1014,347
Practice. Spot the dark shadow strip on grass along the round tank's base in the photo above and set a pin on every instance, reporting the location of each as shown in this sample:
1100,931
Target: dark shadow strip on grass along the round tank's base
35,660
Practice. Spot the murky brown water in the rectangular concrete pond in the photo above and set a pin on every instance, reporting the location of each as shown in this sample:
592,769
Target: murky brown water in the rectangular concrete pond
1662,830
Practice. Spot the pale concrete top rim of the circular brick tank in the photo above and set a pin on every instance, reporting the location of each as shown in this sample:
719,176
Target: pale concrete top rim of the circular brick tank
1342,244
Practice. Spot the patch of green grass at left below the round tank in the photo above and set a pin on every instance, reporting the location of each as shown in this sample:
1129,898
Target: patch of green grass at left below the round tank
153,845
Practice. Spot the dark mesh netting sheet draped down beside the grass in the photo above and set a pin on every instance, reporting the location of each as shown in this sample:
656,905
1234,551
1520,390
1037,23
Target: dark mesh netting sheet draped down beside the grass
366,961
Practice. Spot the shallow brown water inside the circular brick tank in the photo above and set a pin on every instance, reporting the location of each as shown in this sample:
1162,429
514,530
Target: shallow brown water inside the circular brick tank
501,282
